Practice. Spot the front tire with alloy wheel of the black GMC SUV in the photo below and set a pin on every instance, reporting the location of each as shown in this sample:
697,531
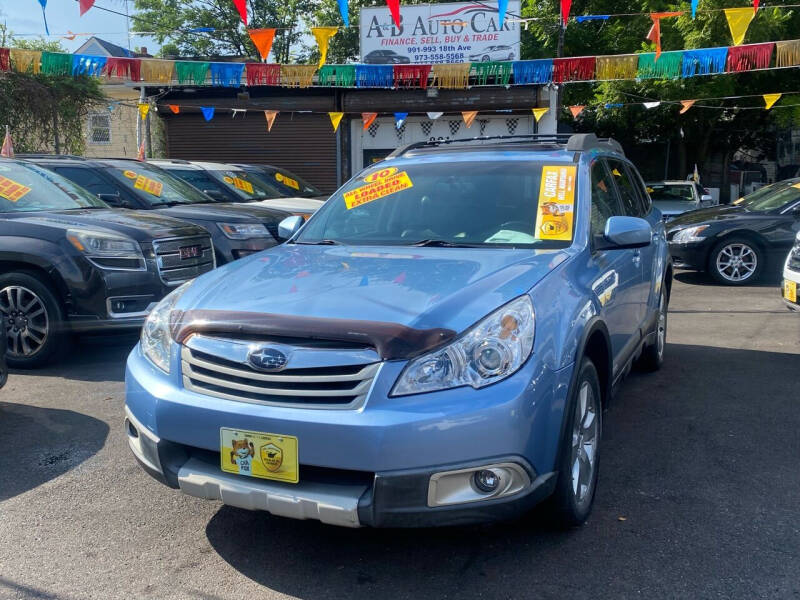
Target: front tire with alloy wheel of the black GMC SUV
34,320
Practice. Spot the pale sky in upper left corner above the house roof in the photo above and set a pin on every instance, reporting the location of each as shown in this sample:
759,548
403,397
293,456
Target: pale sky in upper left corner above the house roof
24,17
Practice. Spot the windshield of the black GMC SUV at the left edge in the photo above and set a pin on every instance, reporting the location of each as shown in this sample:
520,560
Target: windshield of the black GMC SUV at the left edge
26,187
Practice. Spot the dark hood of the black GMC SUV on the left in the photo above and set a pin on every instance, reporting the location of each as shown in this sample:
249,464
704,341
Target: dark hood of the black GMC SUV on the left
139,225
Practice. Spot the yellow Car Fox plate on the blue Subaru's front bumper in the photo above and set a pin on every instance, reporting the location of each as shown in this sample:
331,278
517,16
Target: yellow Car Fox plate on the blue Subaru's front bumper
255,454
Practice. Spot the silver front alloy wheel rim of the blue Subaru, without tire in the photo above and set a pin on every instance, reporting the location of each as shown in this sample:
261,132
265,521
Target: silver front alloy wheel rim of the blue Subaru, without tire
585,437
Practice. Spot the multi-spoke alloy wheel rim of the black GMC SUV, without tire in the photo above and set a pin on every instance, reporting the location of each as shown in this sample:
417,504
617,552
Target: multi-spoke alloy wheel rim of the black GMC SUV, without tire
27,324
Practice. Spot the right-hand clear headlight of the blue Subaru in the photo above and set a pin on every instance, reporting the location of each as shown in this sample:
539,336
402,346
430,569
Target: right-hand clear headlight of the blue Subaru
491,350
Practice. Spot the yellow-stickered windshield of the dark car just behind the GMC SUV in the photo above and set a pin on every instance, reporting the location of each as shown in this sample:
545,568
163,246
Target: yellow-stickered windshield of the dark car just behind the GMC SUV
155,185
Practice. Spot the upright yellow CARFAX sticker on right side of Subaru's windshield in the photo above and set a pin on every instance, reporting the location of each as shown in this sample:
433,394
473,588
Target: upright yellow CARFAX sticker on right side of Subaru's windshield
554,218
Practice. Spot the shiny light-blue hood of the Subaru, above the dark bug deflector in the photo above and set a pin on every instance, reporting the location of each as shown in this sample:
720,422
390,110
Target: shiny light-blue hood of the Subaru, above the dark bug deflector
421,288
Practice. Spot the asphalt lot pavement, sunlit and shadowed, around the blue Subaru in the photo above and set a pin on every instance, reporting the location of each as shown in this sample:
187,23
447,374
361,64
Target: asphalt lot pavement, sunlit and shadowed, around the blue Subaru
699,493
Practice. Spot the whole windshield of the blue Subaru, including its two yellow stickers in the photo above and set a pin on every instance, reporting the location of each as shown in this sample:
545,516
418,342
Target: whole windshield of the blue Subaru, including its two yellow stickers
520,204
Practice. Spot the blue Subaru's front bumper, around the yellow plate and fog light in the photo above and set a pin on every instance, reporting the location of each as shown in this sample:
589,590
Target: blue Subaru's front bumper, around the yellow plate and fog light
366,467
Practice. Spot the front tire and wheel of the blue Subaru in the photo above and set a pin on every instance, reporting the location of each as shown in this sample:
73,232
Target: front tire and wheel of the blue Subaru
573,497
